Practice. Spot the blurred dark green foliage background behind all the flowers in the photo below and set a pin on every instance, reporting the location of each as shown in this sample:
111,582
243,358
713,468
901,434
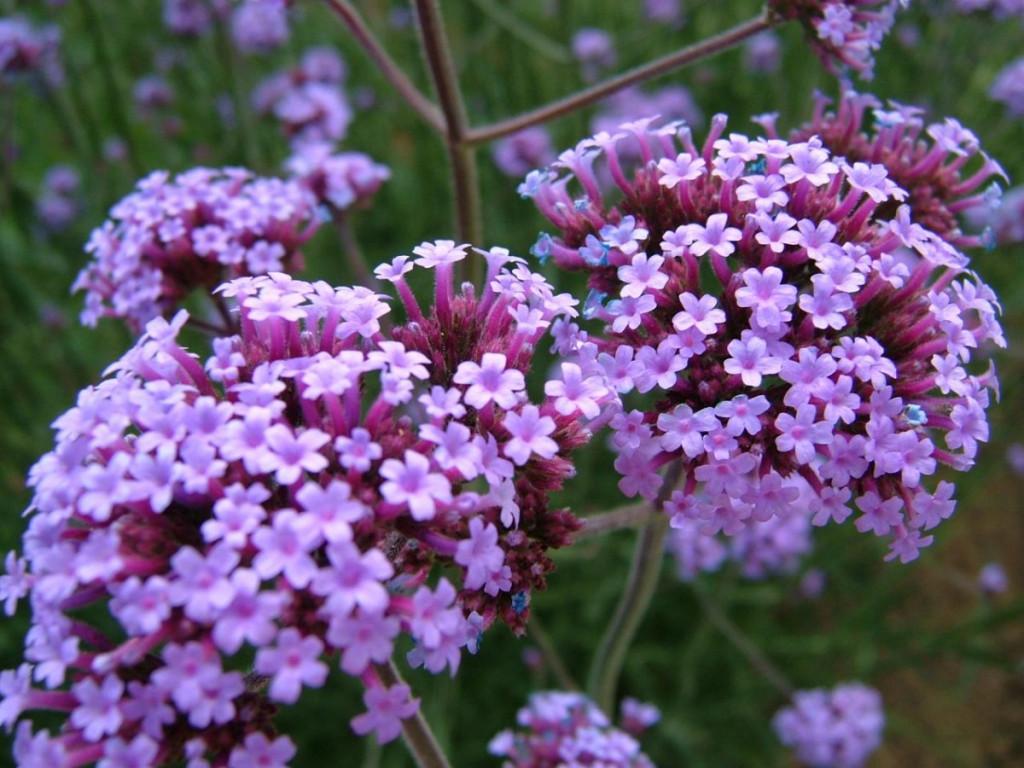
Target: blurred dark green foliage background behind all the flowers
949,662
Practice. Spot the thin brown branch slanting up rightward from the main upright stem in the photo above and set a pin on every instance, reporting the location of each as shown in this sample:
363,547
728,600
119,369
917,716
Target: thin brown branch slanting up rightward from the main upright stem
667,64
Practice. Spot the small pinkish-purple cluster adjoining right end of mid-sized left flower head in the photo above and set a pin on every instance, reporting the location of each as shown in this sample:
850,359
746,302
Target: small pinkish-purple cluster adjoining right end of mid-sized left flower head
338,181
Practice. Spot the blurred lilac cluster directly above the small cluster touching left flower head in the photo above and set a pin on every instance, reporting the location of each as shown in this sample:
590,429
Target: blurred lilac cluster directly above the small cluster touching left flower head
308,101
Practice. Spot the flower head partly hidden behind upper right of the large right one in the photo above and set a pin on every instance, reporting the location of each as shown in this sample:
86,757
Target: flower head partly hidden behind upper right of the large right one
929,162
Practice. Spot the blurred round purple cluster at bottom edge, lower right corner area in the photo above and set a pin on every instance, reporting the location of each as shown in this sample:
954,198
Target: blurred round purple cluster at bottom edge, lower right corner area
838,729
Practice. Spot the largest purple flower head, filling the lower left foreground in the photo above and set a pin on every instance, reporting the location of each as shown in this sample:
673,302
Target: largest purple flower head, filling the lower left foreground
290,499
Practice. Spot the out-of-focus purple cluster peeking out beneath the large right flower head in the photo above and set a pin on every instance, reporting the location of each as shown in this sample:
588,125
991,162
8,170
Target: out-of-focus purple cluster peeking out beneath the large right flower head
761,550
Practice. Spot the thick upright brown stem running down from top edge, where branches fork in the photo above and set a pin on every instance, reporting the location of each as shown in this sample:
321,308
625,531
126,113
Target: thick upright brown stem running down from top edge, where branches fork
462,157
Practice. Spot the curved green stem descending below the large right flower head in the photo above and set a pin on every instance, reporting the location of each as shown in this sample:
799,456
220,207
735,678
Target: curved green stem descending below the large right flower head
603,682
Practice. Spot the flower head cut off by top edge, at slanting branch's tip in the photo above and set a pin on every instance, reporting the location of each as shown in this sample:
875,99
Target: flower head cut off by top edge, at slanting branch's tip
844,34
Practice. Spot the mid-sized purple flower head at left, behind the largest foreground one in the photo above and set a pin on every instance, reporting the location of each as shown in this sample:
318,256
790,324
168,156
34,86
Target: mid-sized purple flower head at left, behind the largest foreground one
176,234
